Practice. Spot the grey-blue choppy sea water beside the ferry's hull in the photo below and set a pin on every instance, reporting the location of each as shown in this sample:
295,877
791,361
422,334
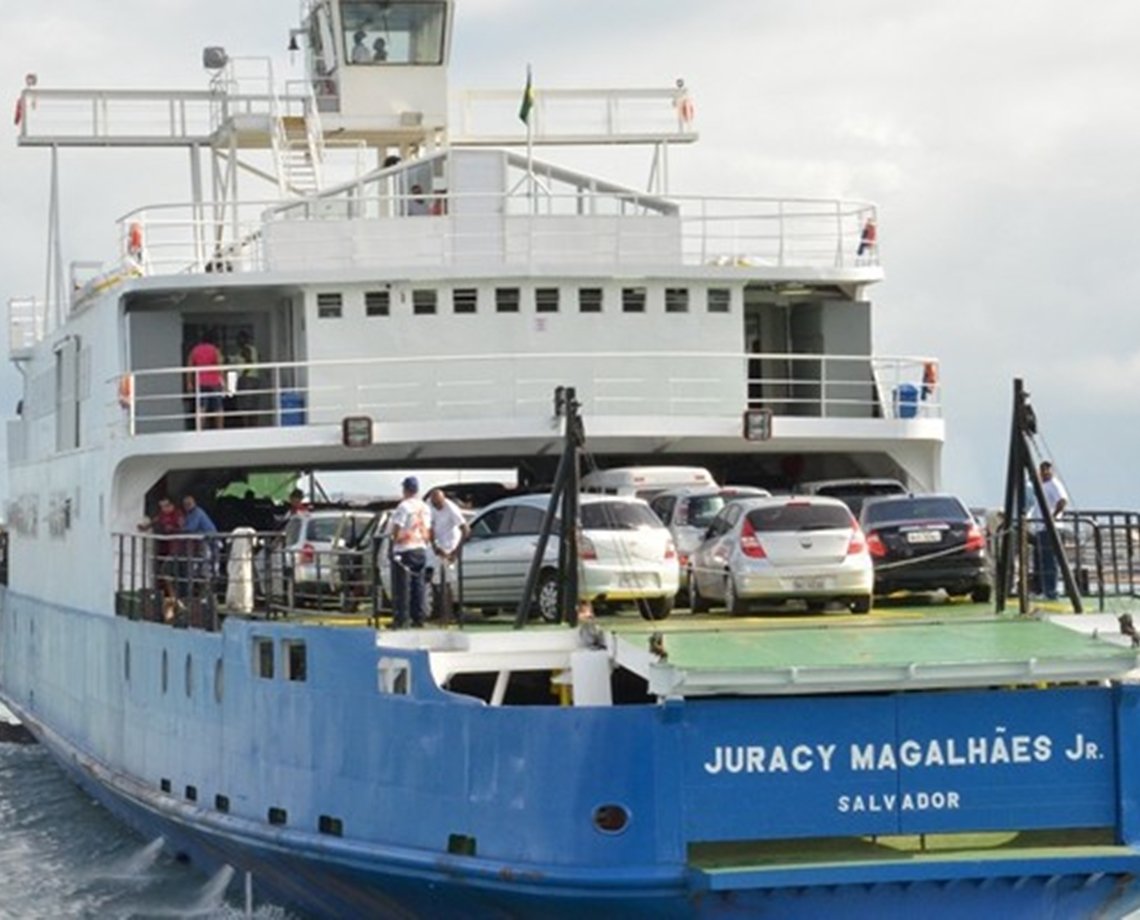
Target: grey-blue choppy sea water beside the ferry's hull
64,857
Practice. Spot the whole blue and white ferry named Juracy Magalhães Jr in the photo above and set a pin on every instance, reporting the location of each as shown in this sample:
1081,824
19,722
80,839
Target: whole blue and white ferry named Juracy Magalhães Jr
417,278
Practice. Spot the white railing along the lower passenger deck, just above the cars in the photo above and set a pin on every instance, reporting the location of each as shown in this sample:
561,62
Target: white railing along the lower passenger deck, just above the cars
496,387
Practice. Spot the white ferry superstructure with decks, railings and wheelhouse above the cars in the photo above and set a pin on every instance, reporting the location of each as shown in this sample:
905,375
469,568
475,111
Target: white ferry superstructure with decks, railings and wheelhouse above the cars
438,281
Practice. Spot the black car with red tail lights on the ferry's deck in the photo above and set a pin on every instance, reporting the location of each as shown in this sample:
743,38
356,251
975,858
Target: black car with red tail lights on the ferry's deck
925,543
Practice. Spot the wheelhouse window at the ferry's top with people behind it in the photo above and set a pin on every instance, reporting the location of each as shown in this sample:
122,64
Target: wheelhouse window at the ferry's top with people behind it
378,34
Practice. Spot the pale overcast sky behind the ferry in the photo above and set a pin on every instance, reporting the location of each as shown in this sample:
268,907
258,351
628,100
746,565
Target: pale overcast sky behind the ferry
1000,141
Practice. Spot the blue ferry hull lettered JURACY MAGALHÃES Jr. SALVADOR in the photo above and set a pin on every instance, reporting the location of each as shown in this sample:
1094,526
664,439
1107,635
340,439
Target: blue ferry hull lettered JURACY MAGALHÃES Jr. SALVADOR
409,774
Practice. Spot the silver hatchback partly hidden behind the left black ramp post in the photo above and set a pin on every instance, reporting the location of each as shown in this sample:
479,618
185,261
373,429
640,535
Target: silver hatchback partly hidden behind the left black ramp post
626,555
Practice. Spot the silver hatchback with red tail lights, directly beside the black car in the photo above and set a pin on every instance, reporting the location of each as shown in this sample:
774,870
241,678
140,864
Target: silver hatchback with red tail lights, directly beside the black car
800,548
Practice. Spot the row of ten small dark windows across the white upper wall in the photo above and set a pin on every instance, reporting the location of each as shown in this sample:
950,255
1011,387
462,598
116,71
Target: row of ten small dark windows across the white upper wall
509,300
